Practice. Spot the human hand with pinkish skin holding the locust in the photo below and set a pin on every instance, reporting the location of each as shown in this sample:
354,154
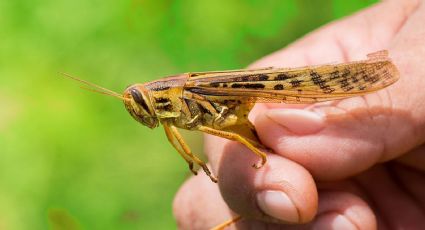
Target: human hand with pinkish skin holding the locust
357,163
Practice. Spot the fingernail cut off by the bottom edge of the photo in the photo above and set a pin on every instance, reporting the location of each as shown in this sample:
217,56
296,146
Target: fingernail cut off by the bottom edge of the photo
333,221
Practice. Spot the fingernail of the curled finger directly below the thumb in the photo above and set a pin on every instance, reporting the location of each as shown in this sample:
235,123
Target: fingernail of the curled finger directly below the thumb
278,205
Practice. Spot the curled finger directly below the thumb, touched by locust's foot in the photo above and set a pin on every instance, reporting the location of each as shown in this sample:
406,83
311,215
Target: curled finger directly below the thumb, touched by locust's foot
280,191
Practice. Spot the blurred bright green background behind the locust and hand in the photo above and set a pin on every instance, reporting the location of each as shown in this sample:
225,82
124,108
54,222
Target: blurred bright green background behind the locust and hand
70,159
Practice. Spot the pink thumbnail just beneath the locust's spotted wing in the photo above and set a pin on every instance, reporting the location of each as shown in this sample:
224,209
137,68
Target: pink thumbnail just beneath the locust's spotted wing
298,121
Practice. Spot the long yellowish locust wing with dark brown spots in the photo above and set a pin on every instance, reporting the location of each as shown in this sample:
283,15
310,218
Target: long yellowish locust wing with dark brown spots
298,85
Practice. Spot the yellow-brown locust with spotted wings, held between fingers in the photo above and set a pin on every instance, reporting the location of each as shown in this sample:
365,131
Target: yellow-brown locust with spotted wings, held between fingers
218,103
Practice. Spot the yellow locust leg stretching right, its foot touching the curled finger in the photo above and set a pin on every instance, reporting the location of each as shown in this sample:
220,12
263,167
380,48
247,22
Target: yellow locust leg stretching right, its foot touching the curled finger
238,138
